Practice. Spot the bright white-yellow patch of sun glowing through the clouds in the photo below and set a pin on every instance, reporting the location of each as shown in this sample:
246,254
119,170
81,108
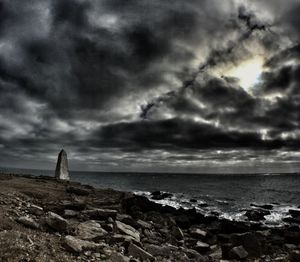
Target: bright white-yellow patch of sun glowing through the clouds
248,72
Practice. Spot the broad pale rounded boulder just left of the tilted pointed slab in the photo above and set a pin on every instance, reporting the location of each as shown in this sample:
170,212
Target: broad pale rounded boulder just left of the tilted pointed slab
90,230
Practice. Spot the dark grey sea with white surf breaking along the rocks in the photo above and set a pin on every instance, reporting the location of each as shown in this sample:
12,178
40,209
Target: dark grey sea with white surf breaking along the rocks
225,195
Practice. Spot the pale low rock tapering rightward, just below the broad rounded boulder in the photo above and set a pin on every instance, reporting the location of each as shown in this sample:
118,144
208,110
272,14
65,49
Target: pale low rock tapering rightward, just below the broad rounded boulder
77,245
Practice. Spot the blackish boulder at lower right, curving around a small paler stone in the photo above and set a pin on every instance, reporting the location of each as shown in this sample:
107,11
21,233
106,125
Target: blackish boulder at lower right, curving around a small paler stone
249,241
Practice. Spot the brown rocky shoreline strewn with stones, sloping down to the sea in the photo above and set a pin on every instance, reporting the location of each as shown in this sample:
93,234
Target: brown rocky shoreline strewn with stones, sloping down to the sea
44,219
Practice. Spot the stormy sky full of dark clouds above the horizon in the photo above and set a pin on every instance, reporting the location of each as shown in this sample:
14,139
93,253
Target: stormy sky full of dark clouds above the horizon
156,86
